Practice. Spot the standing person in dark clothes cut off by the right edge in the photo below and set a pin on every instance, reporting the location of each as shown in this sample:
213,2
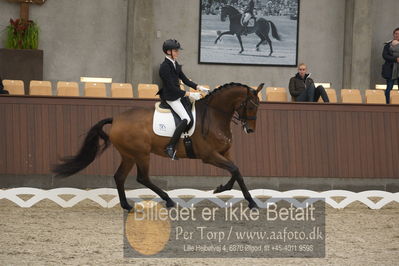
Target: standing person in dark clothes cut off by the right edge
390,69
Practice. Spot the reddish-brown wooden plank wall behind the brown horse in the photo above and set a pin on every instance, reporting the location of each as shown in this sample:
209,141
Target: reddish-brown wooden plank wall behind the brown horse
291,140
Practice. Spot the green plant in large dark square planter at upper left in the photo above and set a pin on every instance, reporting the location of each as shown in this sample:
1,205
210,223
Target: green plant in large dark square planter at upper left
21,56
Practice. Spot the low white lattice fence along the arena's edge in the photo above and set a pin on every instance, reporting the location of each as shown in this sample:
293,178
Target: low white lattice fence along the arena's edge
187,197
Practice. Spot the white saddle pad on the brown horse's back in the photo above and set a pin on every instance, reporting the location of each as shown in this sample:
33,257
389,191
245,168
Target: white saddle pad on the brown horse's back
164,123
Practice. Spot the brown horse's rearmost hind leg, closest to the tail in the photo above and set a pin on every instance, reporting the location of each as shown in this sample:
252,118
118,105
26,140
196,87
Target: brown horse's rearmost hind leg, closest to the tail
120,177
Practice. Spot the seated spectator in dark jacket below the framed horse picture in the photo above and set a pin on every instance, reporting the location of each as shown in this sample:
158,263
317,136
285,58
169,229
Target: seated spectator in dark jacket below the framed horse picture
302,88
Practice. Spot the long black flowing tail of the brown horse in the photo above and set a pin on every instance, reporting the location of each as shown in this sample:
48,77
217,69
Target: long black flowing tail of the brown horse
88,152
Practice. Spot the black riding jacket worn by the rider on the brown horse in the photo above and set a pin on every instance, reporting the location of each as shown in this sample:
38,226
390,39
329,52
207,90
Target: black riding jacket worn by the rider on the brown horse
170,76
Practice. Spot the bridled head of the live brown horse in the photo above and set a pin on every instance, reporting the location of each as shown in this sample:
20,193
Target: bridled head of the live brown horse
248,108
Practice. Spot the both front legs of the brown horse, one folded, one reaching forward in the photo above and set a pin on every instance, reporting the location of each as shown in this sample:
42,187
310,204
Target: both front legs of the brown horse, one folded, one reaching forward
220,161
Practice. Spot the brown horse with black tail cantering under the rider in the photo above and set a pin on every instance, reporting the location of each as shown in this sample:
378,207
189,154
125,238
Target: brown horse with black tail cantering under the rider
132,135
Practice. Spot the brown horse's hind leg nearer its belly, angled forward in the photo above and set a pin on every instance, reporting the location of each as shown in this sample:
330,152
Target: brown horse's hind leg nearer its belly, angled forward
144,178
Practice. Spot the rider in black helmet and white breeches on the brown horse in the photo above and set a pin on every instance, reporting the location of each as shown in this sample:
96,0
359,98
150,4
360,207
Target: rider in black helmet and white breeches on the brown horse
170,72
